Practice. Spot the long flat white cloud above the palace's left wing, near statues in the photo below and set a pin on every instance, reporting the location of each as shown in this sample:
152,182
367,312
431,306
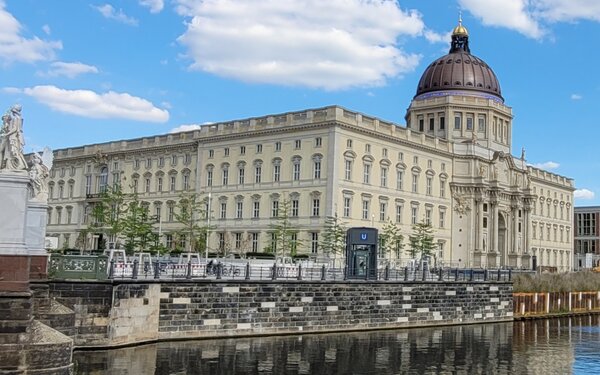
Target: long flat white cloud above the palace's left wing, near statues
88,103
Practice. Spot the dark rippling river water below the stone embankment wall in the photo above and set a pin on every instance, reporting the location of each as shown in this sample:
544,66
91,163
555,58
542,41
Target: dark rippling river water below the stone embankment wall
553,346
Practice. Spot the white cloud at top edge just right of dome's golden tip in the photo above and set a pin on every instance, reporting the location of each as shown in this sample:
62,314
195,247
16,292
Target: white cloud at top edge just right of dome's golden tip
512,14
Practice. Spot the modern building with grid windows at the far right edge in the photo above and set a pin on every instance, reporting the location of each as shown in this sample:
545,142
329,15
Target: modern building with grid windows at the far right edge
587,237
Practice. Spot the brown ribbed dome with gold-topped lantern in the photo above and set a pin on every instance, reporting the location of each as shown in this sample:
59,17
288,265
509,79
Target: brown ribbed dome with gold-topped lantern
459,71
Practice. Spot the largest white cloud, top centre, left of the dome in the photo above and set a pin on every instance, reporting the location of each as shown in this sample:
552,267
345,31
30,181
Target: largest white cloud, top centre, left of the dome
332,44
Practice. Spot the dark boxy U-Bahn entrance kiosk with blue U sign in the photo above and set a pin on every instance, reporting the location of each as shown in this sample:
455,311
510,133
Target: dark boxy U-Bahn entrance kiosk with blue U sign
361,253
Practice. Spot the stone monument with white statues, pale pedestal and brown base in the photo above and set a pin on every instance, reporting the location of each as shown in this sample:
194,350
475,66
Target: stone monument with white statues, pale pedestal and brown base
26,345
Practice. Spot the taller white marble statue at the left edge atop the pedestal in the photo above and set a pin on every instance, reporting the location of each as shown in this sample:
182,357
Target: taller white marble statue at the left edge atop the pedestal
11,141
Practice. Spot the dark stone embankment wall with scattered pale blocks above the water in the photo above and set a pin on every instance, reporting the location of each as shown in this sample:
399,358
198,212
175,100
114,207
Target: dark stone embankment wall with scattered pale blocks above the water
117,313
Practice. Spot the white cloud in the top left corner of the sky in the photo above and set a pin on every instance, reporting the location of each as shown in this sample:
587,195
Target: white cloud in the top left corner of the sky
16,48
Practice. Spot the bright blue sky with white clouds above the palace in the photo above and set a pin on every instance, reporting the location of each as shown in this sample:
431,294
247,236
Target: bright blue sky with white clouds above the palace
92,72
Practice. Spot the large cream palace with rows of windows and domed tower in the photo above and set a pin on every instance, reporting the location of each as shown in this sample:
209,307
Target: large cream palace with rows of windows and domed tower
451,166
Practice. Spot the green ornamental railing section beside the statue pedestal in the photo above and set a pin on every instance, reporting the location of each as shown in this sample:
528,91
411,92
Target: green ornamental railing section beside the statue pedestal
89,267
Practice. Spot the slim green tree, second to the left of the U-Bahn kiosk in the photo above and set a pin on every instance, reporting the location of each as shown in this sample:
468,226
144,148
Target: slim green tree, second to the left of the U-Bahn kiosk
285,241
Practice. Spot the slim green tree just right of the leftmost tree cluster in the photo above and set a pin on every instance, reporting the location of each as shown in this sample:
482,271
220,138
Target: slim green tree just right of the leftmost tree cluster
191,214
